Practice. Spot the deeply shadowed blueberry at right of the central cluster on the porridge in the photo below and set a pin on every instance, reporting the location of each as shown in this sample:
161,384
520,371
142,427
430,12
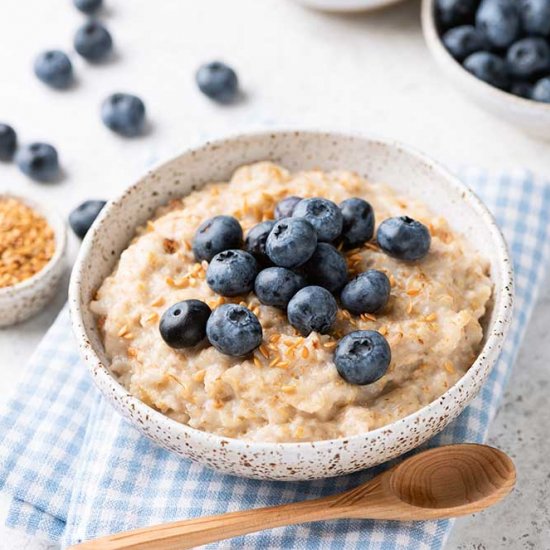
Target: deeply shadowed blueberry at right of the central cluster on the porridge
327,268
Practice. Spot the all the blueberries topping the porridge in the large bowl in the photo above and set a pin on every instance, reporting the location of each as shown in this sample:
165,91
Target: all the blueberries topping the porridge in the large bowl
294,263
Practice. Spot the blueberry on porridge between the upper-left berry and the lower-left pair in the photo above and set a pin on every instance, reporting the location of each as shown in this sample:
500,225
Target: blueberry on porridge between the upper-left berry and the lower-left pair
232,272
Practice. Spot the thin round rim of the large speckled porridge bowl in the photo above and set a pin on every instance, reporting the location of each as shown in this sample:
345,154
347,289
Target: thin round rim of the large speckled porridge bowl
488,353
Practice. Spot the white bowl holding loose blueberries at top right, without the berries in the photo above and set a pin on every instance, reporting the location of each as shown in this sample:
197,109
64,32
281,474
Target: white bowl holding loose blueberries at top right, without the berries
533,117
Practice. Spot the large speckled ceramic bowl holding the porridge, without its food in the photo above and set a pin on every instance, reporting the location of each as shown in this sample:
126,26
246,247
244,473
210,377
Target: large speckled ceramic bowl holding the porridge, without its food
408,172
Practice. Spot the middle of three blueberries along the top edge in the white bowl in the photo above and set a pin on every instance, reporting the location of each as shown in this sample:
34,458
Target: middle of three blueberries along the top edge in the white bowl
499,21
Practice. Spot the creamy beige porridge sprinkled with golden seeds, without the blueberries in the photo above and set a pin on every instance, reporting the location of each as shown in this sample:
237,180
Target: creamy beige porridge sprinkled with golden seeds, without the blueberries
289,388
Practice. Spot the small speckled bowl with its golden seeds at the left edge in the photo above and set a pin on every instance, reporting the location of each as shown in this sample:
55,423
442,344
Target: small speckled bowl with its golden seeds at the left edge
32,257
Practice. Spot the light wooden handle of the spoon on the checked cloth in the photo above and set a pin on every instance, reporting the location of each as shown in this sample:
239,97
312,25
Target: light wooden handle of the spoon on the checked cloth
195,532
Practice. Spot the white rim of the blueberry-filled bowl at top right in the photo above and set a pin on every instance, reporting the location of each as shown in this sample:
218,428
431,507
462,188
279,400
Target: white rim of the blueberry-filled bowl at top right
438,50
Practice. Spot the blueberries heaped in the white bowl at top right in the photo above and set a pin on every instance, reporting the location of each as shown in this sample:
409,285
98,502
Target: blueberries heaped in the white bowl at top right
505,43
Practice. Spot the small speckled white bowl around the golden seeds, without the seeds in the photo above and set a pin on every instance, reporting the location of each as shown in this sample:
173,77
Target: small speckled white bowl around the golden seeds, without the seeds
21,301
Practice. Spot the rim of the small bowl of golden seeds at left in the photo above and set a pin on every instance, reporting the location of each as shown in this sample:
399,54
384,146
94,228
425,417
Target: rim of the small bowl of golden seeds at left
55,221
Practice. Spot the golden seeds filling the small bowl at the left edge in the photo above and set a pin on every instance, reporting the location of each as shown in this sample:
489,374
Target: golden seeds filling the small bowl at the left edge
27,242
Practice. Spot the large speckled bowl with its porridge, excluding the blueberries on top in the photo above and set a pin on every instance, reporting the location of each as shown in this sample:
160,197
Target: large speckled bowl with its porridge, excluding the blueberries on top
284,410
